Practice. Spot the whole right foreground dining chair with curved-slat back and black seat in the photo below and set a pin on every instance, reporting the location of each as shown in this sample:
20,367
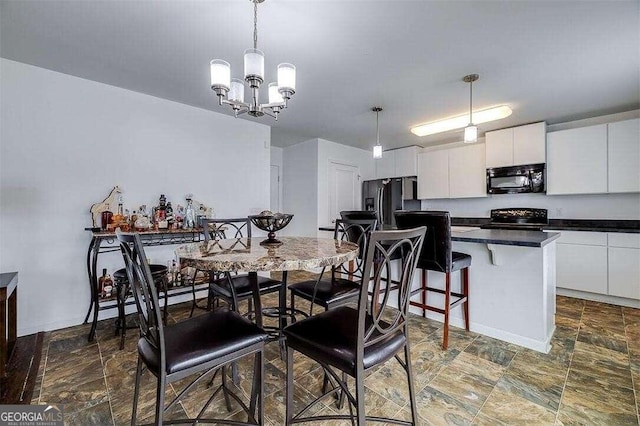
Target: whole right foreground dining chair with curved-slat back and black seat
354,340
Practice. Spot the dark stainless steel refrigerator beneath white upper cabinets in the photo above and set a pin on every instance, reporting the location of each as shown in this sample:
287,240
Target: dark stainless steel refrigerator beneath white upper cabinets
385,196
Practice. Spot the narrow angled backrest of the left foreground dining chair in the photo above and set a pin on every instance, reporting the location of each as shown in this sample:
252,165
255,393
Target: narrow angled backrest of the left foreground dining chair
144,290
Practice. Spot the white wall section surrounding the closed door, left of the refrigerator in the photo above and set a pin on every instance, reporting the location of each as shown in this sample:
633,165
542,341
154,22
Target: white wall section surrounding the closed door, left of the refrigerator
334,152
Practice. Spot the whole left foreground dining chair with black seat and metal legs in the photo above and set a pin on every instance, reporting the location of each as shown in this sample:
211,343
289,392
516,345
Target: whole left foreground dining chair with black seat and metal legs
196,346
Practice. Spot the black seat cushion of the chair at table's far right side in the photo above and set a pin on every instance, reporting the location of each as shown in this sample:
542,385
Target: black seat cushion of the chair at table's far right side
328,292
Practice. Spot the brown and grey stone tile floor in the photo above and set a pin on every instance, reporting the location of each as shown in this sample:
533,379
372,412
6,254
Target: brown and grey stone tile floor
591,375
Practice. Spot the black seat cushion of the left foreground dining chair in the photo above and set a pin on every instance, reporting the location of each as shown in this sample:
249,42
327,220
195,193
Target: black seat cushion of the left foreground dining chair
201,339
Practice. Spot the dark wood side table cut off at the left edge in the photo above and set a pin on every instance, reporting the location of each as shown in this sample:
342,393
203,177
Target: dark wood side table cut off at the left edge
8,323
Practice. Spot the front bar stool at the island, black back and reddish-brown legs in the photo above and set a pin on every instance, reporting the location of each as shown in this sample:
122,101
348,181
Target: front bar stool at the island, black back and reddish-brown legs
437,255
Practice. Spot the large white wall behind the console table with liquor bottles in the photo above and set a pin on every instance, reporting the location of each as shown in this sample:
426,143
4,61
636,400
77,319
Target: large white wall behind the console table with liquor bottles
65,142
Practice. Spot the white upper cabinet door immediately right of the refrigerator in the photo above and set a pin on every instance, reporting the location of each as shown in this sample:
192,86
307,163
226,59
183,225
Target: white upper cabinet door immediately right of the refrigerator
433,174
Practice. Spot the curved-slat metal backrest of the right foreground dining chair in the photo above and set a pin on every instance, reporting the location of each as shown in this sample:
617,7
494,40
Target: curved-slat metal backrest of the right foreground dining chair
383,252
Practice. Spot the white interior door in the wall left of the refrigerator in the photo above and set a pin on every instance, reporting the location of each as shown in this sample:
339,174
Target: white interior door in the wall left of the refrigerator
344,189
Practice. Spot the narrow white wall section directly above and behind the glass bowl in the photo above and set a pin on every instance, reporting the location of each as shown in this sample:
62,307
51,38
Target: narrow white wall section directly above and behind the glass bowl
300,188
